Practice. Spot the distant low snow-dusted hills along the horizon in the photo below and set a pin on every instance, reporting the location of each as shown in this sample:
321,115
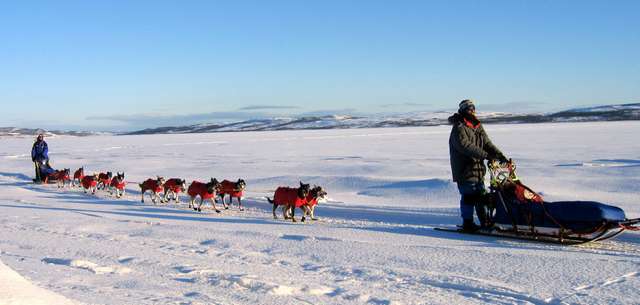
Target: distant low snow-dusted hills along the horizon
623,112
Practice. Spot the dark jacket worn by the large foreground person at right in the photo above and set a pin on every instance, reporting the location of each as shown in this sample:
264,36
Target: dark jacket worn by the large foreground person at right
468,148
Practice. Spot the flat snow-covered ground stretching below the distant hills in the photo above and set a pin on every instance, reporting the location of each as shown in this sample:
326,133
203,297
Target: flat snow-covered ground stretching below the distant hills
373,244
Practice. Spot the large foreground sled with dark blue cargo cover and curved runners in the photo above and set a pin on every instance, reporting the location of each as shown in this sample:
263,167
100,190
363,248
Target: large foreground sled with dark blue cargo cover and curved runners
513,210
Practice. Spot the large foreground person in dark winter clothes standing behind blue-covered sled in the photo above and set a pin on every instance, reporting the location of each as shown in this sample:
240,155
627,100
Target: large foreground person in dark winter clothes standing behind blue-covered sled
469,146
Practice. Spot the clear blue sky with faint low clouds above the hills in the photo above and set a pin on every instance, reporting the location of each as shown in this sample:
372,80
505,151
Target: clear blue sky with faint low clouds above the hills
124,65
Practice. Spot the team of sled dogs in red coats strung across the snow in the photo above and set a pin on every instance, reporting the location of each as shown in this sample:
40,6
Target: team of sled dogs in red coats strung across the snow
303,197
